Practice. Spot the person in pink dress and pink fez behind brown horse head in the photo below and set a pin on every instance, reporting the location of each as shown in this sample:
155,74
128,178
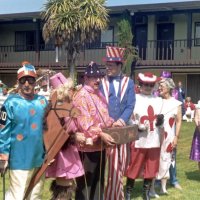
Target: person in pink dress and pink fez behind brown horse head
67,165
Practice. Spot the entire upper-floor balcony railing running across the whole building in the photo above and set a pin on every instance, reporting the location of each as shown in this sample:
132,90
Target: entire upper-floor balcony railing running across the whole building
153,53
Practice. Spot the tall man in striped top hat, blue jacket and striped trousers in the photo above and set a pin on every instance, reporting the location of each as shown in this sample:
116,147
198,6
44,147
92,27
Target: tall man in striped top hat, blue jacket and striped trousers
119,93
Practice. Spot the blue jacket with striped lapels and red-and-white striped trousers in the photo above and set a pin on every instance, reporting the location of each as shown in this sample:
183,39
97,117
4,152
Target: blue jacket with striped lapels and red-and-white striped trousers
120,107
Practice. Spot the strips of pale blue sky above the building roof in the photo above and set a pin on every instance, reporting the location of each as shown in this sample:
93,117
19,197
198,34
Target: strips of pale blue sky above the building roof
18,6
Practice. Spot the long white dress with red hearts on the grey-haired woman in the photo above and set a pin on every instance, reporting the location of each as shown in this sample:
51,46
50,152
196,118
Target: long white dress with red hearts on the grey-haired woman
170,109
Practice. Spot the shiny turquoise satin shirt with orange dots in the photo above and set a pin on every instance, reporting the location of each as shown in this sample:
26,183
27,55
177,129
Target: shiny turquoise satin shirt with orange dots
21,134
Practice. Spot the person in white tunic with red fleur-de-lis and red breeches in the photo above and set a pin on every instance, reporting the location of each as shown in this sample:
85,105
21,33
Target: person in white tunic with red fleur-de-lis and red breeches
145,152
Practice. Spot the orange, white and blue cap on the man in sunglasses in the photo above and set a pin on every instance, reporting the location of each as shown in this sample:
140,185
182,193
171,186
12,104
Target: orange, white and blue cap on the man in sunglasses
26,70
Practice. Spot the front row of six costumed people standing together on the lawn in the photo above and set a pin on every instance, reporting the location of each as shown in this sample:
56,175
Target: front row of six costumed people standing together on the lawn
105,101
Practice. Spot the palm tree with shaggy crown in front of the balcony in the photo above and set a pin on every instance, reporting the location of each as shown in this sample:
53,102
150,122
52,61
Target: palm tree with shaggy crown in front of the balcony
72,23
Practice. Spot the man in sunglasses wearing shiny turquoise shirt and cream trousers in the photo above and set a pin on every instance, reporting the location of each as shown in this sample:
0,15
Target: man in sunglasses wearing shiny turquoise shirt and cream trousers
21,134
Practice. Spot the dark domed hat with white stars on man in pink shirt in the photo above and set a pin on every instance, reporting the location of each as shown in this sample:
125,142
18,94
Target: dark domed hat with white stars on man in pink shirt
92,70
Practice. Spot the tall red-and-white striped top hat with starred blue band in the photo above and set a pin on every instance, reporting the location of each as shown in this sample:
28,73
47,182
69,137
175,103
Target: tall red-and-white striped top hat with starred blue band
114,54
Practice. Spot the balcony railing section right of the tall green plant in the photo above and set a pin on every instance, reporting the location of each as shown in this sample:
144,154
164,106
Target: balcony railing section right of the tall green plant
169,52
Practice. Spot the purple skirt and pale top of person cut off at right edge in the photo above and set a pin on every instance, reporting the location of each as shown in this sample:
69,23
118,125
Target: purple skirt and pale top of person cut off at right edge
195,147
